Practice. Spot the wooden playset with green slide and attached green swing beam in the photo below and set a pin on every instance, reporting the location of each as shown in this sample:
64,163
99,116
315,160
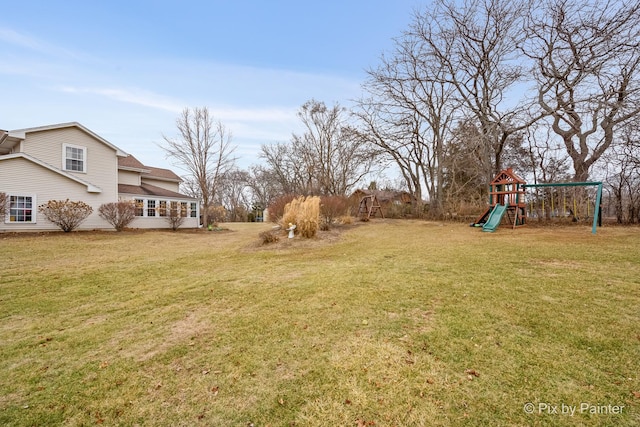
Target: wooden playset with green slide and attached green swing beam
507,199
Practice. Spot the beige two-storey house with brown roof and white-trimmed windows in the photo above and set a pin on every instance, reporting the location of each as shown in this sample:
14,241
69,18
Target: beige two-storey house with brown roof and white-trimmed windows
69,161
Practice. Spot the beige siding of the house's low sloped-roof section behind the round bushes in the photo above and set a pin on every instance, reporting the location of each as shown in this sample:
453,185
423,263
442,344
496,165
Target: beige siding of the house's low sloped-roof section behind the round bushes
24,178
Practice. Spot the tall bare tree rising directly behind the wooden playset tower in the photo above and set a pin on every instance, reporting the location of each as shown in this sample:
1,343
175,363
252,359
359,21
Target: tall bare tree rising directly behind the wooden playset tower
475,42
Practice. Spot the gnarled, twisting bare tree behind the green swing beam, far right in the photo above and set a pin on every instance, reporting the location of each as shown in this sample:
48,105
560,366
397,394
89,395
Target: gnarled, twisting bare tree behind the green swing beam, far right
586,61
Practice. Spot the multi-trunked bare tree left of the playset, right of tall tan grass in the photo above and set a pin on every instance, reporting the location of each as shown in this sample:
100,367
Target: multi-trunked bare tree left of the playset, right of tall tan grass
408,116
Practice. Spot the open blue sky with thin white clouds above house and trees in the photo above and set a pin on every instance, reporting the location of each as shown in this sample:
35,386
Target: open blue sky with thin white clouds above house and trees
126,69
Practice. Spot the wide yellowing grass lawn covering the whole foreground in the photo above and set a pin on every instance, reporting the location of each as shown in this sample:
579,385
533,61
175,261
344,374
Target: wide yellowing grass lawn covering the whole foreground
386,323
